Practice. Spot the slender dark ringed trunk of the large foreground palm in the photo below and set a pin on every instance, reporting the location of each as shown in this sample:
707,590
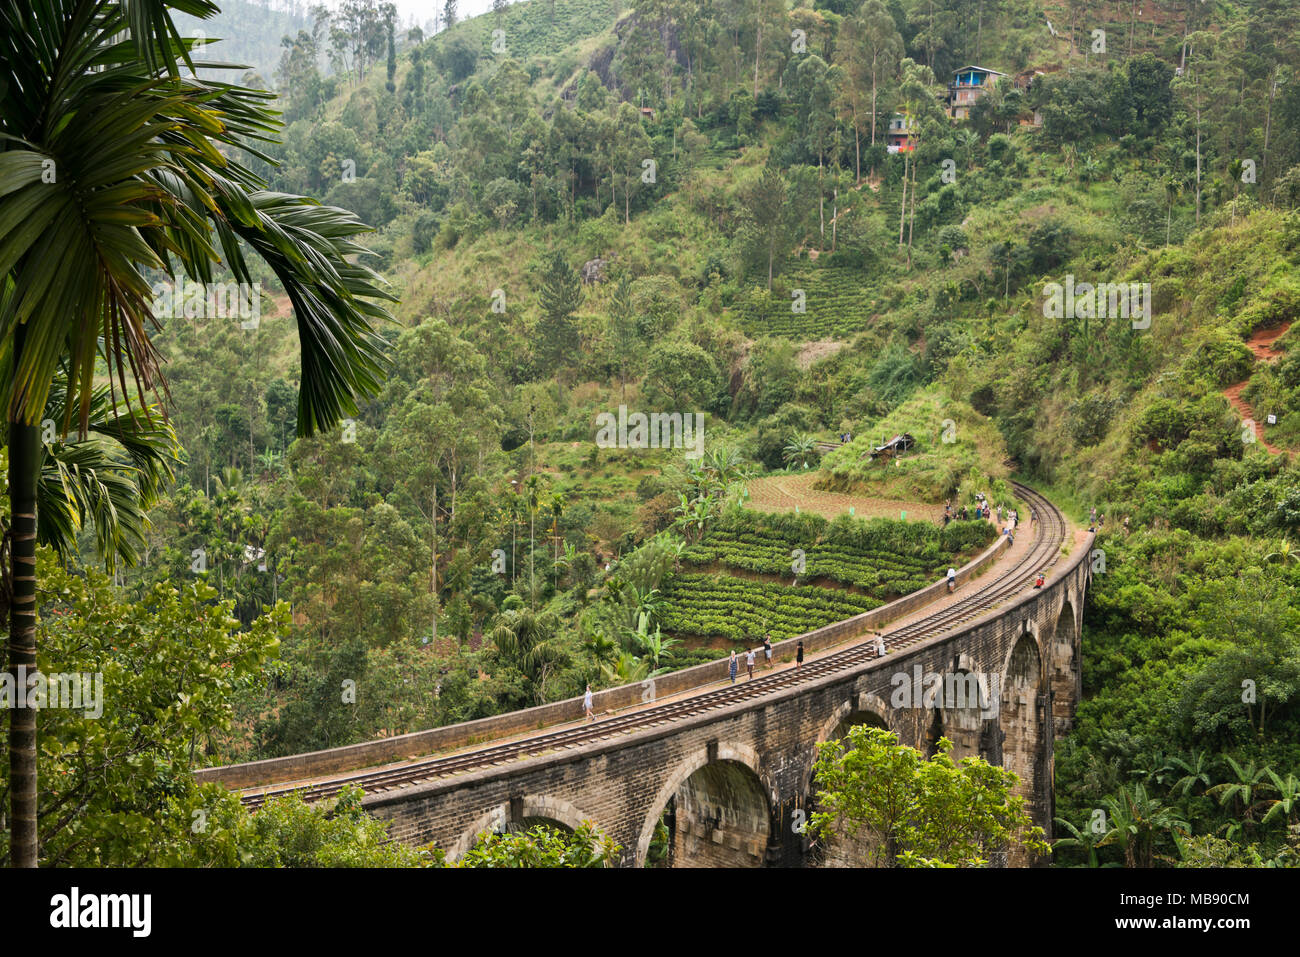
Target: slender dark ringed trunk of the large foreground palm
24,466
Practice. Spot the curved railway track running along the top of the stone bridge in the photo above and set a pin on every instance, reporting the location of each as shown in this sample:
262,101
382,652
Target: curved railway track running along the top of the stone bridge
983,597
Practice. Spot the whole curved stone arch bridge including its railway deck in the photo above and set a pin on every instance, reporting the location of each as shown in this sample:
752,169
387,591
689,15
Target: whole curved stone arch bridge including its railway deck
730,769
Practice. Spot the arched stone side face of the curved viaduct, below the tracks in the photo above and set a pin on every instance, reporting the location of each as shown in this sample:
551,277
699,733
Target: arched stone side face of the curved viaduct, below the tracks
736,772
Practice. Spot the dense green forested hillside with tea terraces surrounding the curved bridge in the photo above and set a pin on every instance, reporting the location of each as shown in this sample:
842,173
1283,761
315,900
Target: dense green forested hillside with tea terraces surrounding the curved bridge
584,205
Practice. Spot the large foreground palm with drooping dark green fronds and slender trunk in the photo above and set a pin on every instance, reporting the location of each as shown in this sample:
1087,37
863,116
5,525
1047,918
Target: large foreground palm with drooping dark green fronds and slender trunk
115,163
